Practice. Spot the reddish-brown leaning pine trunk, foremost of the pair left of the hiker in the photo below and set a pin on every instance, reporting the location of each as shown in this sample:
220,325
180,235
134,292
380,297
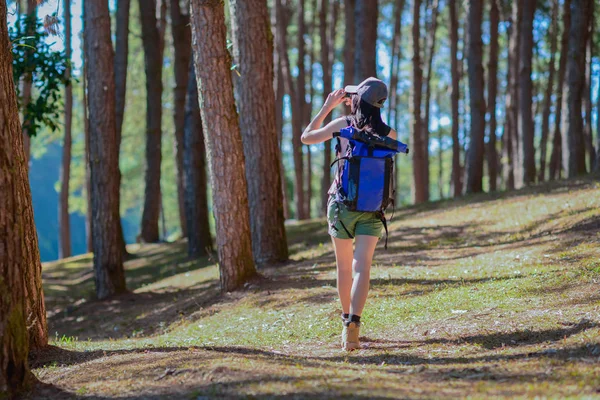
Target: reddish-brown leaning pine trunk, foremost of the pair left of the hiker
228,179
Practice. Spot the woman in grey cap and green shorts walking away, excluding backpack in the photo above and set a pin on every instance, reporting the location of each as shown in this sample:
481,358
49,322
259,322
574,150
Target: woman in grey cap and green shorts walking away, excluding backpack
366,101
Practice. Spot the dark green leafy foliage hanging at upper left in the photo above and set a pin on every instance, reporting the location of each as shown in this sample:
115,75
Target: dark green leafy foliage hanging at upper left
33,56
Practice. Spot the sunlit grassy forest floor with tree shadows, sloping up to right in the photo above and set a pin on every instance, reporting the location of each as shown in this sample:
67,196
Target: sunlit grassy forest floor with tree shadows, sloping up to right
494,295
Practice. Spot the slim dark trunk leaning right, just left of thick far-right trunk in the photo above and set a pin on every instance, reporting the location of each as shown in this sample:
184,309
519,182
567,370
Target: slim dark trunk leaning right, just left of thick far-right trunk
556,156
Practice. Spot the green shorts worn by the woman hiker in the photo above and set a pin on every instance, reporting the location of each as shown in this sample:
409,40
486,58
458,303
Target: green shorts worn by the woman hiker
356,222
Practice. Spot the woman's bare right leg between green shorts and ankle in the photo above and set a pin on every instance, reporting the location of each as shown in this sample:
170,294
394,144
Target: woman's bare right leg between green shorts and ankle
363,257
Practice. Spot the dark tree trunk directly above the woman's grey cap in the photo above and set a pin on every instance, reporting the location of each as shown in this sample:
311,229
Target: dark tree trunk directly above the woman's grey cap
365,30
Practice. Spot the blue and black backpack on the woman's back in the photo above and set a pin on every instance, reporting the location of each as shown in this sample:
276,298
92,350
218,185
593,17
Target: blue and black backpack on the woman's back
366,179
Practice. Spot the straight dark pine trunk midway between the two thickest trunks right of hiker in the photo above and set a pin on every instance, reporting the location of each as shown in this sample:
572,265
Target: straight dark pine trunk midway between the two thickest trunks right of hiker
525,118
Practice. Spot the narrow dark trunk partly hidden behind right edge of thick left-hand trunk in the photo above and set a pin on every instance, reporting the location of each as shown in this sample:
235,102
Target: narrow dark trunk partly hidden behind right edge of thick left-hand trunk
121,55
